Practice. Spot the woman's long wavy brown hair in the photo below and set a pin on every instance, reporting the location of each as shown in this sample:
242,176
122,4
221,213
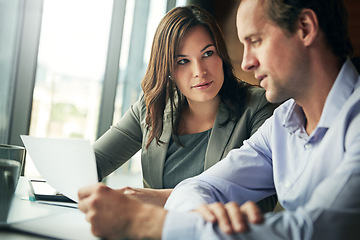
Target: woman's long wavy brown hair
159,90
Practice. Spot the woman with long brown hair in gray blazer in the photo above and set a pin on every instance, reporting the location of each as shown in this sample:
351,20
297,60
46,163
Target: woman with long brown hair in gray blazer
193,110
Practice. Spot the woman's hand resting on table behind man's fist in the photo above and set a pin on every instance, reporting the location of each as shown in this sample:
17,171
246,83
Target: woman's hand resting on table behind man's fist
148,195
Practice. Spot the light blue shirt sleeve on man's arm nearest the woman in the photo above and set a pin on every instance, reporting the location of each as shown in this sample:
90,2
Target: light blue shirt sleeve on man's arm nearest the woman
245,174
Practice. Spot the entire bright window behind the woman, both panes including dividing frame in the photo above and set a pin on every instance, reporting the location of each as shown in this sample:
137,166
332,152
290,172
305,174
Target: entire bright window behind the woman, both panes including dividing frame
79,42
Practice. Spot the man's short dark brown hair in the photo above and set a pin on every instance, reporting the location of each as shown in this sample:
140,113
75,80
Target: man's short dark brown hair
332,17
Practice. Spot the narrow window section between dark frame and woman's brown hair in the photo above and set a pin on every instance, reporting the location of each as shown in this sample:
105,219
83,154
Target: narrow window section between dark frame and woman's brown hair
134,58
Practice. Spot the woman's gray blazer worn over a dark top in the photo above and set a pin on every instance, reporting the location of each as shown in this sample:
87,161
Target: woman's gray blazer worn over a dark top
130,134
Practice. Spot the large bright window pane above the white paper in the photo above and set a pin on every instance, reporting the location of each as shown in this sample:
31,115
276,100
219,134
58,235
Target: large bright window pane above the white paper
70,68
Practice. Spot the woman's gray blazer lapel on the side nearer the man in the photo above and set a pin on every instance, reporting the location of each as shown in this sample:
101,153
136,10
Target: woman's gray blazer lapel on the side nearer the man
219,138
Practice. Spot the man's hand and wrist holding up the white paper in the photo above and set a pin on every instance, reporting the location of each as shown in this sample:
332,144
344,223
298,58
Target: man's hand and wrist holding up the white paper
114,215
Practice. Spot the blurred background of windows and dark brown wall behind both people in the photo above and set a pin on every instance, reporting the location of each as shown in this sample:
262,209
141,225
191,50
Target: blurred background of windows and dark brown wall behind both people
71,68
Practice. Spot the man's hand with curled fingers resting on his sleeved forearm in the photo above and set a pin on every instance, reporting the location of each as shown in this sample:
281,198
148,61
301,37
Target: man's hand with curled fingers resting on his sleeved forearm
230,217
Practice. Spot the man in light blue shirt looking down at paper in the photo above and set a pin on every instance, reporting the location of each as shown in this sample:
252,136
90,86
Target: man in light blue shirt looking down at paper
308,152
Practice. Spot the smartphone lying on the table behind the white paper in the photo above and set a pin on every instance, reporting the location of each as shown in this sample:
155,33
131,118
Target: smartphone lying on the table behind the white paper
44,192
